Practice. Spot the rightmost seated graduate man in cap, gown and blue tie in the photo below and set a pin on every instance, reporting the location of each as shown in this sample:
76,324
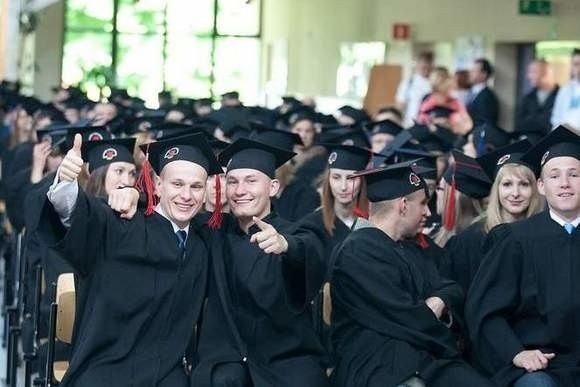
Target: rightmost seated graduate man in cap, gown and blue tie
522,308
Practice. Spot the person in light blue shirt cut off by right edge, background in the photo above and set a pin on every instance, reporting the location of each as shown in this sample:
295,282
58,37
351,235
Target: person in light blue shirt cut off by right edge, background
567,106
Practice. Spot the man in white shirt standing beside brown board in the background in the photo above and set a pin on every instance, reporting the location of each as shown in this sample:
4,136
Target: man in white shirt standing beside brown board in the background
413,89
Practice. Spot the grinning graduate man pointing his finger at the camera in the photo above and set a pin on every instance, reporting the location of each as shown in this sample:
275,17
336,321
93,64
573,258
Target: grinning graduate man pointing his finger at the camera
256,329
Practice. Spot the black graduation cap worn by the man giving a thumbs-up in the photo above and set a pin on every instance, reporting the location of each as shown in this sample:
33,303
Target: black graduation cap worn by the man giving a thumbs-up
194,148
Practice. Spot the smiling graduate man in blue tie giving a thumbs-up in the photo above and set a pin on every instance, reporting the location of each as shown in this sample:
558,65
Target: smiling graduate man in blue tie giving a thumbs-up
145,280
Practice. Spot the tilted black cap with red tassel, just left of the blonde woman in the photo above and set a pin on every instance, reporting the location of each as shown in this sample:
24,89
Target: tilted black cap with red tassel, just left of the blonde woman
468,176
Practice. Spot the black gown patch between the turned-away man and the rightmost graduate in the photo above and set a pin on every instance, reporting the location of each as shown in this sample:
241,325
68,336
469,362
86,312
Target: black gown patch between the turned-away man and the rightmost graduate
466,251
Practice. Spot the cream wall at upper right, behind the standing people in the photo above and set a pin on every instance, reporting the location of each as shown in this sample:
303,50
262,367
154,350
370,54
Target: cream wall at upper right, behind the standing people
314,29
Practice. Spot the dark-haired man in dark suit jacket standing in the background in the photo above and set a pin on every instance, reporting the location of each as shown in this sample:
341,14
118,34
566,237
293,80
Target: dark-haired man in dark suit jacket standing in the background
483,106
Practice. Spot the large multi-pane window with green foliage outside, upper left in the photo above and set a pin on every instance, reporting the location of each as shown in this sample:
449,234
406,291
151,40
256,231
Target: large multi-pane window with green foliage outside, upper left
193,48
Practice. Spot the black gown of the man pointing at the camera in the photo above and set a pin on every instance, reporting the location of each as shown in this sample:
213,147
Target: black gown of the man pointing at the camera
256,313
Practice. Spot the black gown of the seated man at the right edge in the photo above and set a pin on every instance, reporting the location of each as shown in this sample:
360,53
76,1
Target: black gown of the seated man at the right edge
526,296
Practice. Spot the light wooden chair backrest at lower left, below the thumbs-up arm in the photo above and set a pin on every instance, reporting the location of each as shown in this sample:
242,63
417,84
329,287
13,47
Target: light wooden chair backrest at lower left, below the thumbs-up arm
66,301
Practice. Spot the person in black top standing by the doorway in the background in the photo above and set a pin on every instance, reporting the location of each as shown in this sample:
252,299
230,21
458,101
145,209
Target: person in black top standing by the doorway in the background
535,109
